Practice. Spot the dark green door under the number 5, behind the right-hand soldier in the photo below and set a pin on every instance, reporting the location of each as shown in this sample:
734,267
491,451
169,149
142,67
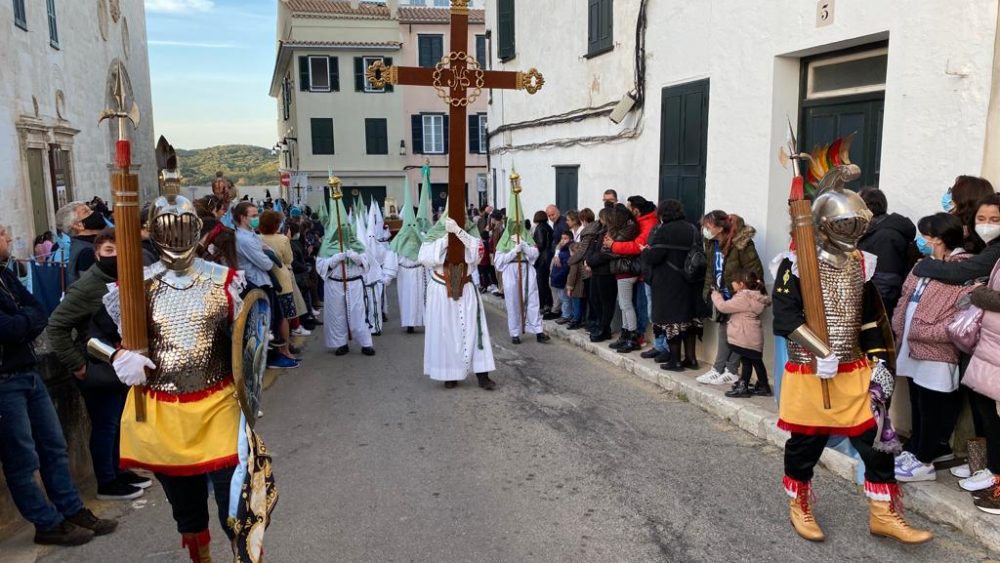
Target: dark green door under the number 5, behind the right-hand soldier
824,123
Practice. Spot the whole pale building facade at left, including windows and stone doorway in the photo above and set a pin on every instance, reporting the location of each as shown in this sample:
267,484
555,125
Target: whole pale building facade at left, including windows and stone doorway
58,61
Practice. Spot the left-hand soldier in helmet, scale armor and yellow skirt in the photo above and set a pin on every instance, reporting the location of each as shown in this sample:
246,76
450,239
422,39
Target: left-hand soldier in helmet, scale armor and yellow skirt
194,428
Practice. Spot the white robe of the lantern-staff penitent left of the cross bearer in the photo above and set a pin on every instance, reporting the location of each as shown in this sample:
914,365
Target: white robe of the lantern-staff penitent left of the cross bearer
341,312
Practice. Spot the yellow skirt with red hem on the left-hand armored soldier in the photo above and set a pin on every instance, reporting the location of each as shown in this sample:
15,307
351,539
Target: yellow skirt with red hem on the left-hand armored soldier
186,435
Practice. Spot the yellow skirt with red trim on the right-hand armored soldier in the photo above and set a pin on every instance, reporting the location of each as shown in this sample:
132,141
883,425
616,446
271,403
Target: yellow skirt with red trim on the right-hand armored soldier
801,407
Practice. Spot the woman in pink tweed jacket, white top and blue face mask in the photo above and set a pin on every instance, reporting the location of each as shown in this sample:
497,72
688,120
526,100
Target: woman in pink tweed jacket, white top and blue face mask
926,355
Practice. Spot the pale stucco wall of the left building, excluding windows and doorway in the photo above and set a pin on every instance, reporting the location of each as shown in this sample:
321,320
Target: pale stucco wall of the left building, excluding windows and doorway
31,69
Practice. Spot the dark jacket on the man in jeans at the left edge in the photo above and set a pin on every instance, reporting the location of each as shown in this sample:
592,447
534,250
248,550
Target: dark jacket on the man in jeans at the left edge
22,319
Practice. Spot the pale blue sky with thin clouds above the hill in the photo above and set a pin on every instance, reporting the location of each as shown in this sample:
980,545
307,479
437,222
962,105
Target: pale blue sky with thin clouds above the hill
210,65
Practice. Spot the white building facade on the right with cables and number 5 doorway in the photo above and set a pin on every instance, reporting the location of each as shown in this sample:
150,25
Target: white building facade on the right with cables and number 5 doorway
719,81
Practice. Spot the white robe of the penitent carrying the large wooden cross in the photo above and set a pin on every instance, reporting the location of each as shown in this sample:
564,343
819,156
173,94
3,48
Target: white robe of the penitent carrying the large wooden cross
457,338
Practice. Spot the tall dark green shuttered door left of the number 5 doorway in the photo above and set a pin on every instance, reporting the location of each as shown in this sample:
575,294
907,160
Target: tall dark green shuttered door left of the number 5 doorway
684,145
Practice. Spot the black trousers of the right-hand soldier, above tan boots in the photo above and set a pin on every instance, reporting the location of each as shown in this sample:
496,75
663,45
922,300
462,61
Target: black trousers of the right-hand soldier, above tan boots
802,452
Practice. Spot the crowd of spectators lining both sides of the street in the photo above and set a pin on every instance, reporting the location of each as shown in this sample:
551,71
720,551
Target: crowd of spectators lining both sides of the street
642,276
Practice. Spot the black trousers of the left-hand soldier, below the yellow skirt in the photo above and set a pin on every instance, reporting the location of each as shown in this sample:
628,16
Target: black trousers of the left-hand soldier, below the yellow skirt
188,498
